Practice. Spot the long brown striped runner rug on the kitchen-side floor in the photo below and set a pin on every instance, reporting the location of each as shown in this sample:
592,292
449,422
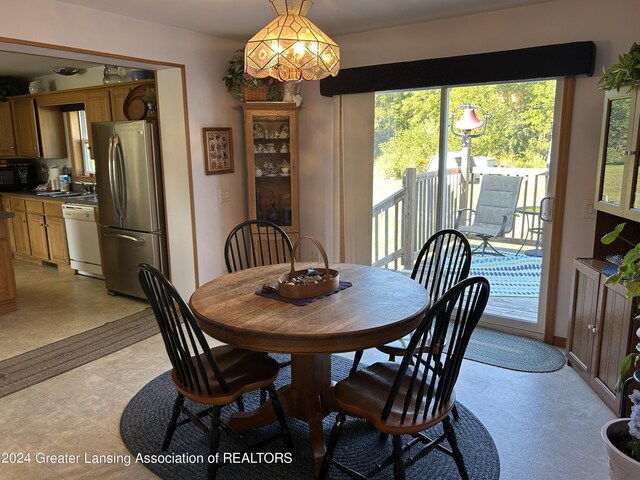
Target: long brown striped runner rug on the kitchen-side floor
37,365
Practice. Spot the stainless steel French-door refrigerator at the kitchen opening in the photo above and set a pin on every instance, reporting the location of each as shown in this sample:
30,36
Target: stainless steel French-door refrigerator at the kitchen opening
129,187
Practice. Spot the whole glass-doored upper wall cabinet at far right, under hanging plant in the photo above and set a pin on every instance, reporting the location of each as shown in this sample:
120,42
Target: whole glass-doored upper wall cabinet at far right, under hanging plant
618,191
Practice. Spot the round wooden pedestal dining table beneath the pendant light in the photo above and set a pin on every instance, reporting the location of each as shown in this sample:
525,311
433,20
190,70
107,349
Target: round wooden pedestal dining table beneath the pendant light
379,307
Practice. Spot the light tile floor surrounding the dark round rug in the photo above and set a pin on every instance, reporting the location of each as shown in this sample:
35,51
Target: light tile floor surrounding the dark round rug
546,426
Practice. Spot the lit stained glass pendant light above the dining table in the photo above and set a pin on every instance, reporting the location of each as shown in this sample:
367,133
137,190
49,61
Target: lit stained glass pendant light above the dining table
291,47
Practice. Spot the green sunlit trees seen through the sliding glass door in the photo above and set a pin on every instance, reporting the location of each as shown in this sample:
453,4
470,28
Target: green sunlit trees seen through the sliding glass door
517,135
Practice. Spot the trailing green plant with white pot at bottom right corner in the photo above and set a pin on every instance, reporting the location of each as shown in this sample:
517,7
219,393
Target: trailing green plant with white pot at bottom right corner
622,436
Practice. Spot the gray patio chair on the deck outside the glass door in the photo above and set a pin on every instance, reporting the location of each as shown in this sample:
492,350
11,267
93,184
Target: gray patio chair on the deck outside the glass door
495,210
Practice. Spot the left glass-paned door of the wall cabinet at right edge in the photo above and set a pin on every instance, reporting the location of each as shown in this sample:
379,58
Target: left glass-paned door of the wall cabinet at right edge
613,158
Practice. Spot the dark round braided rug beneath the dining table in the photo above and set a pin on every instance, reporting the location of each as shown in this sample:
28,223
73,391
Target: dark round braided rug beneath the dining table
145,418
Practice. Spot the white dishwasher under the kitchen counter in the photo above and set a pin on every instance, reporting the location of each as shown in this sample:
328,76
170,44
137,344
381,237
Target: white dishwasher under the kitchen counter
83,239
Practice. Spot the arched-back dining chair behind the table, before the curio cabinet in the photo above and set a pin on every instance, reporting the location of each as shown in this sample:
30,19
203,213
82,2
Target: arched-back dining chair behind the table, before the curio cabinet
254,243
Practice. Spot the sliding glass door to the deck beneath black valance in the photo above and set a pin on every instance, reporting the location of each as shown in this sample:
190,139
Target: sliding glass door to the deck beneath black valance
434,152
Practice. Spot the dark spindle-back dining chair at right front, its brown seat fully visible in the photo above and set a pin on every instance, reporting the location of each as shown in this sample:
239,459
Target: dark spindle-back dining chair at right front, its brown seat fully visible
408,398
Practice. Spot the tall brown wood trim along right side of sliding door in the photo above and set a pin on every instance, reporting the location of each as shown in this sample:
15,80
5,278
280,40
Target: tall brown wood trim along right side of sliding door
558,207
